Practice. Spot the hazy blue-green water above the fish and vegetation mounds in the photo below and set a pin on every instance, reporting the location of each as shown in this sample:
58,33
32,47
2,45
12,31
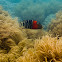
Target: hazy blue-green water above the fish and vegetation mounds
41,10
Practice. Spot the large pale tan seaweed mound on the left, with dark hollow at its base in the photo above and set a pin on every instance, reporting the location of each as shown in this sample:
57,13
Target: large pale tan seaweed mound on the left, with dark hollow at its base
9,30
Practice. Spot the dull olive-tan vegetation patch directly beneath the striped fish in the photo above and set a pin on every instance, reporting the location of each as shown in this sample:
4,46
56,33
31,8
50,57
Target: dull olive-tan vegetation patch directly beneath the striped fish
34,33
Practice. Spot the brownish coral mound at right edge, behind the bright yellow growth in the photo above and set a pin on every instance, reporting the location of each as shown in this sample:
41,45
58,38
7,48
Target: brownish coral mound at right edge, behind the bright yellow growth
55,27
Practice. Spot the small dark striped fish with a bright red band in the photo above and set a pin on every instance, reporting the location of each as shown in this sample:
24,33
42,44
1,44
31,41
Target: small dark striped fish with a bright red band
31,24
